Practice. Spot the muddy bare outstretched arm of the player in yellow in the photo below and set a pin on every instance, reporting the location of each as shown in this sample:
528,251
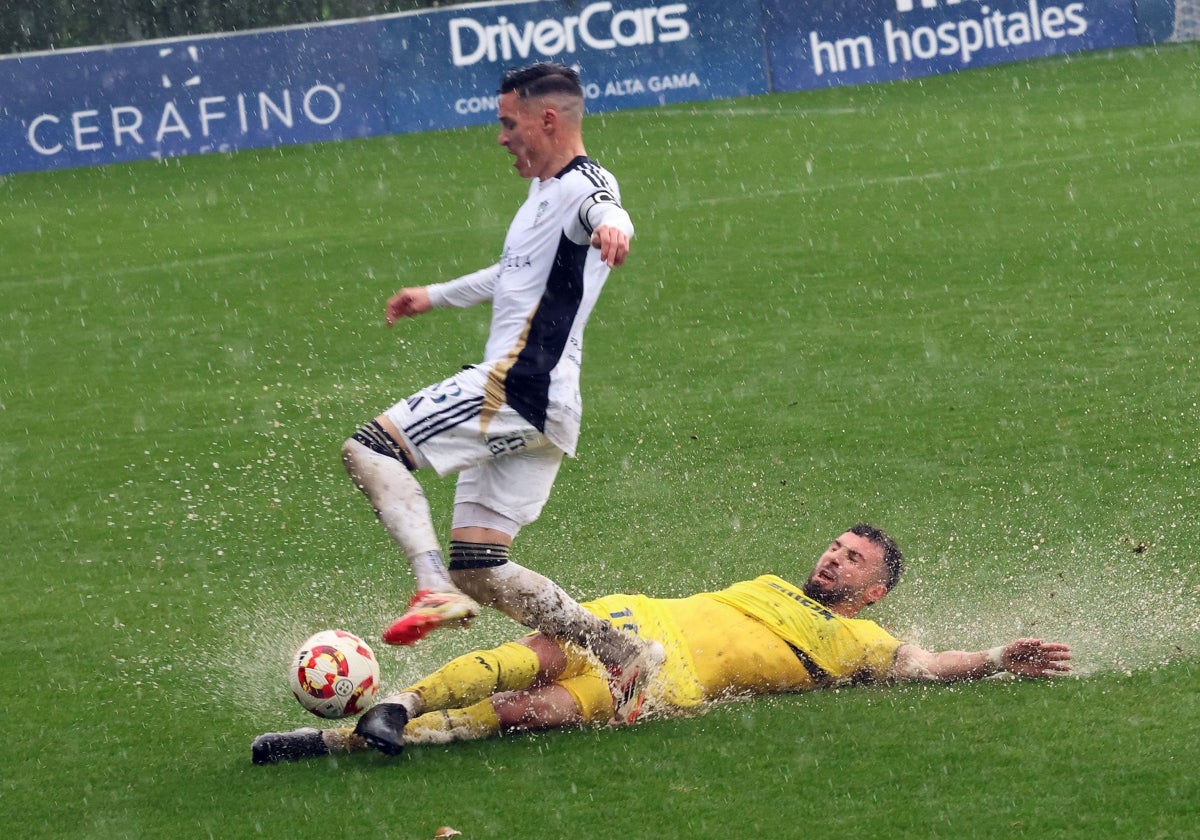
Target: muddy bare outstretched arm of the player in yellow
1024,657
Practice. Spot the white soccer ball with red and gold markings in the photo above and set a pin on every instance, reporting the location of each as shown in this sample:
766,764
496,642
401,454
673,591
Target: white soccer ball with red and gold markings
335,675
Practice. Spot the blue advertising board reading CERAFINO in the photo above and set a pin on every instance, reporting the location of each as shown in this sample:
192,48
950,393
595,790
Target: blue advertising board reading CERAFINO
189,97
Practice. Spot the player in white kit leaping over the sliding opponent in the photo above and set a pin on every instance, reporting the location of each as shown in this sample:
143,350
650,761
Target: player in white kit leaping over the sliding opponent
505,425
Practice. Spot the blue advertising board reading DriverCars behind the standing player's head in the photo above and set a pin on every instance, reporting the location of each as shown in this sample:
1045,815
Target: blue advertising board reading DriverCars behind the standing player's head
442,69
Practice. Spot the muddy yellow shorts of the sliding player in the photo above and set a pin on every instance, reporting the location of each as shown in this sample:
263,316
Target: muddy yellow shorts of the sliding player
676,687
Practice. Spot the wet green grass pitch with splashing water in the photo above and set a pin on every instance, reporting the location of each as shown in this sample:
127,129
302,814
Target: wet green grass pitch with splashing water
963,309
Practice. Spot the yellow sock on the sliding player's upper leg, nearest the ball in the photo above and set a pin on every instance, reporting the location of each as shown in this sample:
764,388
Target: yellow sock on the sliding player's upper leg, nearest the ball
477,676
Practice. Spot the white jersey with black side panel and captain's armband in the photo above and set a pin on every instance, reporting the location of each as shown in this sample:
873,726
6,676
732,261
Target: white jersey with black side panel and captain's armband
543,291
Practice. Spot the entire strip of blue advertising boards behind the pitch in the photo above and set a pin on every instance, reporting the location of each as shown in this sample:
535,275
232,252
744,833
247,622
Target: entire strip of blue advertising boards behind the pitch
440,69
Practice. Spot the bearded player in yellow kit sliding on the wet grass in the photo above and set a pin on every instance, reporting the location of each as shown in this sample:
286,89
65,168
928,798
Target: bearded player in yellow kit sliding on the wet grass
755,638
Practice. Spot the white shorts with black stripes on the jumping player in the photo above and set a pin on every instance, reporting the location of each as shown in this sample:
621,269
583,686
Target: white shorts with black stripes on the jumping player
503,463
